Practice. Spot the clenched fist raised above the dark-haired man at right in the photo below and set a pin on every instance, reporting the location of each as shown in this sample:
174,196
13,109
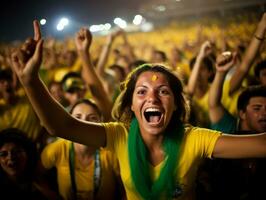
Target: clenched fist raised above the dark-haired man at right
225,61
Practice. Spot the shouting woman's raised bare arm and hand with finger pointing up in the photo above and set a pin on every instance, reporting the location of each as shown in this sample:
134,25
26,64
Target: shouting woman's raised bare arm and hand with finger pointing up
26,62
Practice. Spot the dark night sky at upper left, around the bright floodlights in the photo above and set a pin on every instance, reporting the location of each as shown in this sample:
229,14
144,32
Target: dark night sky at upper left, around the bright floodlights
16,16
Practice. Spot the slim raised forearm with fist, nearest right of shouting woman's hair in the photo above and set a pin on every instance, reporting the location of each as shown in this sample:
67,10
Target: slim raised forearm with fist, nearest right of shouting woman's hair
205,50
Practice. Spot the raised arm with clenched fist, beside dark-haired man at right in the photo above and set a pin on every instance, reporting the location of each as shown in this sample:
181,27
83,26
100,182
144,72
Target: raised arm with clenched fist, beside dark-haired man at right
223,64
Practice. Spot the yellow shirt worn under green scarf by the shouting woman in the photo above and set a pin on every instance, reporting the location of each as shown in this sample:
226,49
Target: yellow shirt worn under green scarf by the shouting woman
198,143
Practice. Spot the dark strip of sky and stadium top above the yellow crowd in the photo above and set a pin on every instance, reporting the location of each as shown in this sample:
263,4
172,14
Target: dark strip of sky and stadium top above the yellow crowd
16,16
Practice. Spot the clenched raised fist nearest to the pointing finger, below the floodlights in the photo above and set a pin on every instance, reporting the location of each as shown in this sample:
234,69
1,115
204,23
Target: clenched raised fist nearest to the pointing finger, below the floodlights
83,40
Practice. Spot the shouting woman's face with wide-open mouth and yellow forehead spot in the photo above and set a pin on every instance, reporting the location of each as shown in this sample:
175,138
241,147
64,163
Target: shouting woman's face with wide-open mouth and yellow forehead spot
153,102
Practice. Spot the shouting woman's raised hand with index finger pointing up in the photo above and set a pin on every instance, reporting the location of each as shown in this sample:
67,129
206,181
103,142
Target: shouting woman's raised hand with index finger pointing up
27,59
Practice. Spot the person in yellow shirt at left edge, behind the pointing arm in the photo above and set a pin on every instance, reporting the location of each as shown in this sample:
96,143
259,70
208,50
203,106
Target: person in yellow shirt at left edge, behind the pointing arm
16,110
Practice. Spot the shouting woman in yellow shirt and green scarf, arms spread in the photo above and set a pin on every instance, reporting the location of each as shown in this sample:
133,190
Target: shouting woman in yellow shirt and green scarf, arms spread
157,155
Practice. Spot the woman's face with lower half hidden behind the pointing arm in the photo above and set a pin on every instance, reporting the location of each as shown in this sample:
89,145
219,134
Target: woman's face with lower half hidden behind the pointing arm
86,112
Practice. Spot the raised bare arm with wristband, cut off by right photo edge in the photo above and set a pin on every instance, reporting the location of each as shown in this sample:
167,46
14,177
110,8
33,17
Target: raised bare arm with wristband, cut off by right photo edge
249,56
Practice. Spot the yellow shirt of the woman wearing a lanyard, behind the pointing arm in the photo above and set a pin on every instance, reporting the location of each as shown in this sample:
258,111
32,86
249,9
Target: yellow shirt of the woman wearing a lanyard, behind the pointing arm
56,155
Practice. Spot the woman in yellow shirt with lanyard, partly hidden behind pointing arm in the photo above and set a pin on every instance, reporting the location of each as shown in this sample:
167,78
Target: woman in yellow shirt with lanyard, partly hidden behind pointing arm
82,171
